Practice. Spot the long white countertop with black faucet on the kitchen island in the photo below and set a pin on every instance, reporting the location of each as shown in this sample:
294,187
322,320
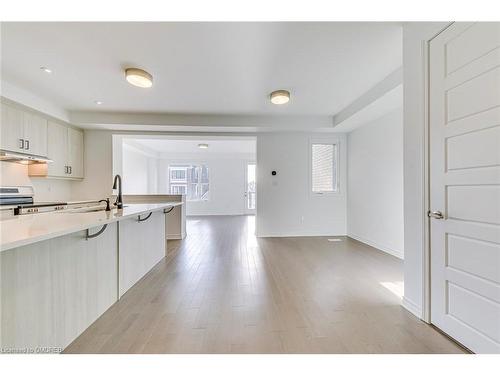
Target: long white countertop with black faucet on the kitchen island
27,229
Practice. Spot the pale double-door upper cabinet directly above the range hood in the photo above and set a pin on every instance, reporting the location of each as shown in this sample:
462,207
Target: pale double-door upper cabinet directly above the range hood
23,131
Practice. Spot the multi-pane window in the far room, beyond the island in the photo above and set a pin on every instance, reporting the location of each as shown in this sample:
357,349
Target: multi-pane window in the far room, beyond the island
190,180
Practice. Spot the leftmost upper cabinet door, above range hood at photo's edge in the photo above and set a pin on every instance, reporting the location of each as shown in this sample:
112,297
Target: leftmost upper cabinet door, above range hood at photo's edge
11,129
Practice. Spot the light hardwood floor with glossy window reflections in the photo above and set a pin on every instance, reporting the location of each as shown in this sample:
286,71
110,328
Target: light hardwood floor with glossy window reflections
221,290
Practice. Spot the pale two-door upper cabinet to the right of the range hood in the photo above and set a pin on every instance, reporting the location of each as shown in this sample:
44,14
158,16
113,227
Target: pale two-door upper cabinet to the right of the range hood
65,149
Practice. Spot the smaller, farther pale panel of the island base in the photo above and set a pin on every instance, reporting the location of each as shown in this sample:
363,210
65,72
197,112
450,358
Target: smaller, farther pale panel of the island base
142,245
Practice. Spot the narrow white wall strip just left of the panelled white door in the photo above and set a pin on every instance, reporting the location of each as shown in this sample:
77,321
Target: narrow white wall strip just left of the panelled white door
415,36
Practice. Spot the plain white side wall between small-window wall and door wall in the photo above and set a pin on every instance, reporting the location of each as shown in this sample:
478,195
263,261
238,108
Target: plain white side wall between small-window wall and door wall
375,183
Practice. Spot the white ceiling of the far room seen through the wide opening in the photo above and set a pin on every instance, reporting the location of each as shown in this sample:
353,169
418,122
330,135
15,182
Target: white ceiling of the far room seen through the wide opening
190,145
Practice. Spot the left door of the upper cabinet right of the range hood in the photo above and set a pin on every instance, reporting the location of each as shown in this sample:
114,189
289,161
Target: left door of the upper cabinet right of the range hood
57,149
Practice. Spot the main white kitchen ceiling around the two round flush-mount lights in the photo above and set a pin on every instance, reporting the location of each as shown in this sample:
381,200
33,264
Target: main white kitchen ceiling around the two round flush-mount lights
201,68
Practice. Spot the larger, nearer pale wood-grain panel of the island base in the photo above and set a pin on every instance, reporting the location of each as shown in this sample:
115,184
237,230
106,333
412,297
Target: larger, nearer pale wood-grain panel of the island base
52,290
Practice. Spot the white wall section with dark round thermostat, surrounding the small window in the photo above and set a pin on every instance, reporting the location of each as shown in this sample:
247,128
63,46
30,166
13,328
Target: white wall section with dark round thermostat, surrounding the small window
285,206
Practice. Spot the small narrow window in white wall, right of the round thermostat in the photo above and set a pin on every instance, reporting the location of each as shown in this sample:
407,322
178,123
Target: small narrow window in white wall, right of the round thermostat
324,168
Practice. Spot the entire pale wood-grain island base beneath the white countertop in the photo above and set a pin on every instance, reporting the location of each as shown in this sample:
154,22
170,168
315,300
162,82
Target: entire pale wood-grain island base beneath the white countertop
52,290
